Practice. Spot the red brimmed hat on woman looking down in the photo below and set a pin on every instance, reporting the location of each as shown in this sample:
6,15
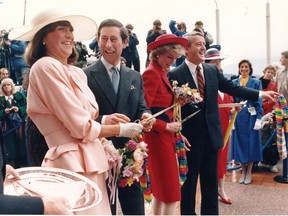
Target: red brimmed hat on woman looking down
167,39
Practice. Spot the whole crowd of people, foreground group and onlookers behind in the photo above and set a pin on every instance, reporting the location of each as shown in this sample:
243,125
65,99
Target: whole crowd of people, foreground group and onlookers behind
85,113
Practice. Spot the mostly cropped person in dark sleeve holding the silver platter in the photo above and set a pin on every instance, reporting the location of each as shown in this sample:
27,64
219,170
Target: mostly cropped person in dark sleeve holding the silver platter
25,204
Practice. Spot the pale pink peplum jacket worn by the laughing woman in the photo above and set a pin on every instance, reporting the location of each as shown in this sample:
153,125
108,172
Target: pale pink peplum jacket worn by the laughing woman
62,106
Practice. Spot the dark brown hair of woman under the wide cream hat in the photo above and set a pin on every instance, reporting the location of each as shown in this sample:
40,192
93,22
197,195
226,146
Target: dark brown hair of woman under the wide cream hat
36,49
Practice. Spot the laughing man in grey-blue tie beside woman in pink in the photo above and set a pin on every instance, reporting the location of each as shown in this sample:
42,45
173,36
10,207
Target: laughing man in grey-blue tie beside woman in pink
123,104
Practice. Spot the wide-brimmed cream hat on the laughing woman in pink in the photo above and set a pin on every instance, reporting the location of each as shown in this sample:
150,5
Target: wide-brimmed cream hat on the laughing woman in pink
84,27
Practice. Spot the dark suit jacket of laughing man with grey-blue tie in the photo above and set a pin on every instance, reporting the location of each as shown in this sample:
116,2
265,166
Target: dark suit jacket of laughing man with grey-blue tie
129,101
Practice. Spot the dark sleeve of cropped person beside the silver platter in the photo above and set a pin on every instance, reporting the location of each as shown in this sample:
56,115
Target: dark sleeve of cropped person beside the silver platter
16,204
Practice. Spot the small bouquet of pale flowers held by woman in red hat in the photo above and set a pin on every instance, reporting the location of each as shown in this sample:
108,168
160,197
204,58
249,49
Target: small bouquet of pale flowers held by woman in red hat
184,94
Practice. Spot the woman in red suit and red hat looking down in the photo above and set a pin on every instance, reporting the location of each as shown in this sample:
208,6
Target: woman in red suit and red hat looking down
162,162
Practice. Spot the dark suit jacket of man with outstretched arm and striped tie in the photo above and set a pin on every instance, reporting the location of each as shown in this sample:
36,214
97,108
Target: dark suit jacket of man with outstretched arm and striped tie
214,81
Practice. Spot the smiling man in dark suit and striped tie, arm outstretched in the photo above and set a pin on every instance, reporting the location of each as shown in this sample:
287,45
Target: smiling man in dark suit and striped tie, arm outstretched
203,131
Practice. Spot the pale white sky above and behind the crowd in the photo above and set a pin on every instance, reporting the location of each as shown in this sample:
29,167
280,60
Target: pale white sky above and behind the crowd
242,22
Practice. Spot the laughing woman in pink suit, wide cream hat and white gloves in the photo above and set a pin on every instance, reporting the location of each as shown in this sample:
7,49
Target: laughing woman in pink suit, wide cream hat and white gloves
62,105
